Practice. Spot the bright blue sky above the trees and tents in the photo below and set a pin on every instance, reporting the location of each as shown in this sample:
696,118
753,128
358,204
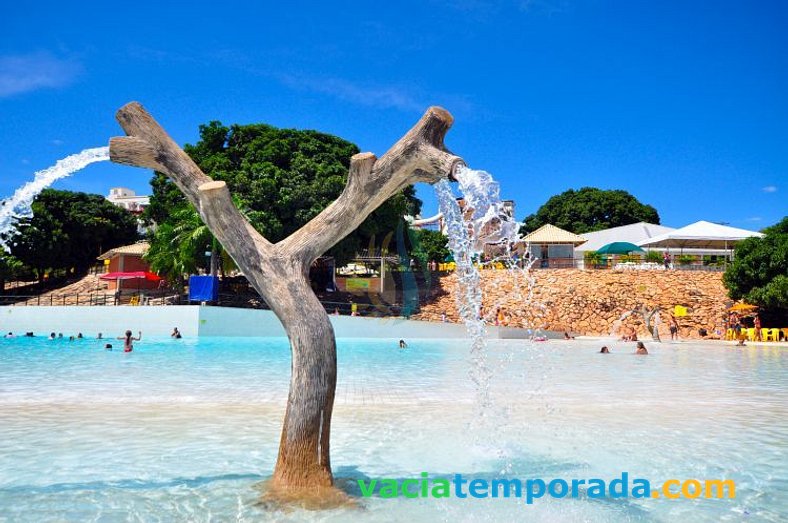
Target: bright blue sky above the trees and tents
683,104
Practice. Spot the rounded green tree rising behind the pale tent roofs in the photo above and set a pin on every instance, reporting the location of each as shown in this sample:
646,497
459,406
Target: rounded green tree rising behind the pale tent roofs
590,209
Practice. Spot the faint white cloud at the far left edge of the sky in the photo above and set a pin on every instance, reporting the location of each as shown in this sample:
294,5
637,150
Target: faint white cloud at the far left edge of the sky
29,72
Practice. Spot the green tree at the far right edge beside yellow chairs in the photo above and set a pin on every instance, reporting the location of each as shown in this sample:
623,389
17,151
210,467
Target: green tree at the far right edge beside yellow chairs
759,273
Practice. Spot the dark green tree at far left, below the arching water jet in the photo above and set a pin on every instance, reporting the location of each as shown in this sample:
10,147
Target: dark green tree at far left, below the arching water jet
69,230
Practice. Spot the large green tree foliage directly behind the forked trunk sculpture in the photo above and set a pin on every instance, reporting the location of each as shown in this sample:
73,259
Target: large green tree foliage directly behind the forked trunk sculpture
279,178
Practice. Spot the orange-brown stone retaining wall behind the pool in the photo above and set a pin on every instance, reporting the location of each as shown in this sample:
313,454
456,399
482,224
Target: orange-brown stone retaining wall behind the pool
592,302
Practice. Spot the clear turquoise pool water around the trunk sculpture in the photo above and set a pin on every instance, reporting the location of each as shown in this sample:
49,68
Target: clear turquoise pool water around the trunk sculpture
183,430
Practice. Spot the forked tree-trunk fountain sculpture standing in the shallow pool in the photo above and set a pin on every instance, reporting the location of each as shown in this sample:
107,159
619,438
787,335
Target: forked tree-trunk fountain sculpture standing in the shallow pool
279,272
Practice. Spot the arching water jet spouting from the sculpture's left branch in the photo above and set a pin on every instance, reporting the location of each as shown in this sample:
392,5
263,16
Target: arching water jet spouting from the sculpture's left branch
18,206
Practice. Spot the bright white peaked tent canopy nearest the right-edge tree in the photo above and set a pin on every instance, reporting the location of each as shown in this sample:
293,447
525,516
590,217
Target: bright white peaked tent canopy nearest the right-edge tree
700,235
